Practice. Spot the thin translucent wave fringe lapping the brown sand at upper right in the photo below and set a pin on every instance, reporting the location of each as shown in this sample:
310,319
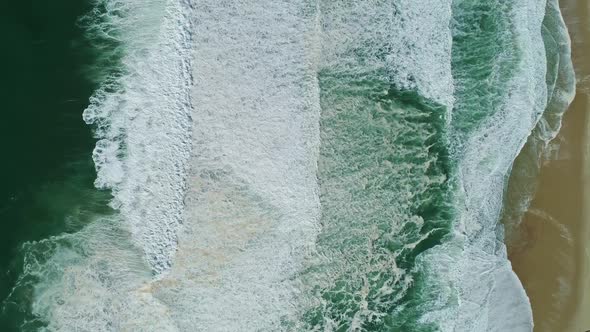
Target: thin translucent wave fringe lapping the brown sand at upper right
541,145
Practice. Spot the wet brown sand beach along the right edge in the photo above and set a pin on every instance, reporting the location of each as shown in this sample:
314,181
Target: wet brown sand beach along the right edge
552,253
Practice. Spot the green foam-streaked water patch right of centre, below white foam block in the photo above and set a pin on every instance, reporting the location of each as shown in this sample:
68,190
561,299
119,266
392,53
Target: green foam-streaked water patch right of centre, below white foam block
385,160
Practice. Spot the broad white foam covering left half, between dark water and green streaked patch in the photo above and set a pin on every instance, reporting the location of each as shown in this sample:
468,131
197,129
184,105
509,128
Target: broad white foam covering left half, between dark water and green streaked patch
252,197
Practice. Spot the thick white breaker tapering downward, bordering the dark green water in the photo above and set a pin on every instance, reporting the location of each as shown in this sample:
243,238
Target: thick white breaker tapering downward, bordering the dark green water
143,122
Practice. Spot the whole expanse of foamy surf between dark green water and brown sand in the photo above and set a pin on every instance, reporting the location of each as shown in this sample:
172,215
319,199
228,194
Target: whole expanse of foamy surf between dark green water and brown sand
293,166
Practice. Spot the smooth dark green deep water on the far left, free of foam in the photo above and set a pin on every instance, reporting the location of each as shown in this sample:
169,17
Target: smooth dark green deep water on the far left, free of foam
46,173
